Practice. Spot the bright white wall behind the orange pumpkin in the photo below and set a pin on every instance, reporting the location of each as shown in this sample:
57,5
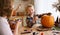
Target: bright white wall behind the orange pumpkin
45,6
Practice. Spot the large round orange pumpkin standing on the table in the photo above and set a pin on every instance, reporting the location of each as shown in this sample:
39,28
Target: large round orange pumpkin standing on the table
47,21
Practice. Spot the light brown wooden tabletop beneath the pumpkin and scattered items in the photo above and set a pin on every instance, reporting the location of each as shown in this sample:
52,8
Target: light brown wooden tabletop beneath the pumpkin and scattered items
33,29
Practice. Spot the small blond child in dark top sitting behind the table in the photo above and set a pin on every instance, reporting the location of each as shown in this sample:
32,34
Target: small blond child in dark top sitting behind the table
30,16
